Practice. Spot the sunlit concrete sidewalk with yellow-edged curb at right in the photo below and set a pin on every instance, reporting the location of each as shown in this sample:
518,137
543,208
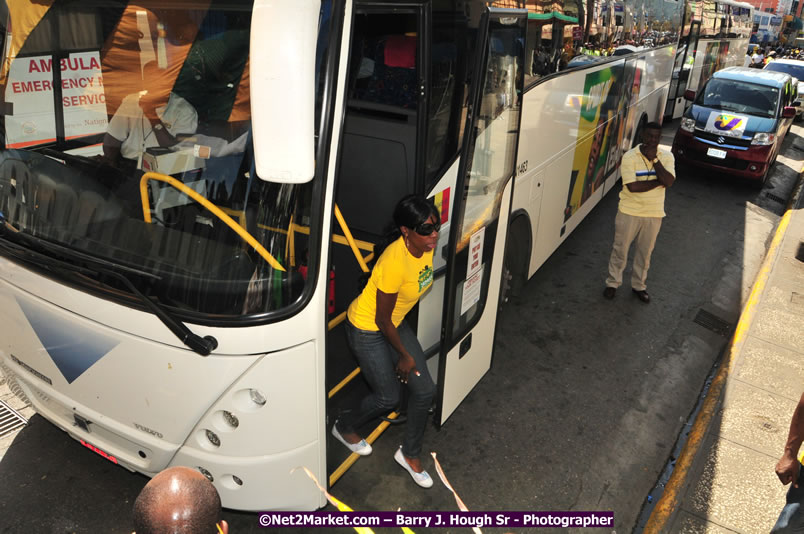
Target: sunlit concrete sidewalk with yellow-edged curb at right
724,479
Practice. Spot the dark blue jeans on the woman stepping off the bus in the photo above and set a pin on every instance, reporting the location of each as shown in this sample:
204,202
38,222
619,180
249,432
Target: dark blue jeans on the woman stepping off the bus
378,359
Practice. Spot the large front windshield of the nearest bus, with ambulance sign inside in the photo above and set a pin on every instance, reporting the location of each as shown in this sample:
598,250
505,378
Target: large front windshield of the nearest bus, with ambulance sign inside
127,137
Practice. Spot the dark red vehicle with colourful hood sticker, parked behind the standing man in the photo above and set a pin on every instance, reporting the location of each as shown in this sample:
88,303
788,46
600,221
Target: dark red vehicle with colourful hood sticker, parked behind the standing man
737,122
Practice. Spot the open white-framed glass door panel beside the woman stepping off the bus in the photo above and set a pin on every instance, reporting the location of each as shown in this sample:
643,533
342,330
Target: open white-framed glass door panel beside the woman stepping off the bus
481,208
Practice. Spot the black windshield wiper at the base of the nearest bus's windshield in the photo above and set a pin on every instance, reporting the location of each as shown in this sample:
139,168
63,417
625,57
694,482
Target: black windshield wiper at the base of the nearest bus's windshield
202,345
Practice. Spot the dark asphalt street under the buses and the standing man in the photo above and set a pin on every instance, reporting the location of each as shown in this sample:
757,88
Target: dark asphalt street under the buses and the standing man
580,411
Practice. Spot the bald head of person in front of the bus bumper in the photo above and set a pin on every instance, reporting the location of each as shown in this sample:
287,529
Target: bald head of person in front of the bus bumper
179,500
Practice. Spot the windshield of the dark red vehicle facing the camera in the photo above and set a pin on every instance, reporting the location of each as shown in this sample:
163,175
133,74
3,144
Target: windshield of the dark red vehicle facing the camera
740,97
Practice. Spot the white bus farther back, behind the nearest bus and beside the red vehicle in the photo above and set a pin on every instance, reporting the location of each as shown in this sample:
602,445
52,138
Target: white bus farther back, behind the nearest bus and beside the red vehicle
715,36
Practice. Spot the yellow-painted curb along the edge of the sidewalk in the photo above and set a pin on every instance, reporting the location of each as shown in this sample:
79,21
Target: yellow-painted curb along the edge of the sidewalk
673,491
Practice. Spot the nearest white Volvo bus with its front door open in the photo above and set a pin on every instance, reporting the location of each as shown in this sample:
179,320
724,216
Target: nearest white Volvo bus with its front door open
188,188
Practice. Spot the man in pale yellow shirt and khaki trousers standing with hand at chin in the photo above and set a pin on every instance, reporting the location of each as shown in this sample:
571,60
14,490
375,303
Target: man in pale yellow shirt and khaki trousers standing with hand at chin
646,173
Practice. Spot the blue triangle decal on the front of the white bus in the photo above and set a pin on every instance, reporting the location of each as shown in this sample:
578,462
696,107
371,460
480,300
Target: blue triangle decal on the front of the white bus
72,348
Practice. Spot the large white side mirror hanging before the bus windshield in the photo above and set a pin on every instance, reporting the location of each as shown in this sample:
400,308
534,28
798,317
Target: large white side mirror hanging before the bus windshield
282,78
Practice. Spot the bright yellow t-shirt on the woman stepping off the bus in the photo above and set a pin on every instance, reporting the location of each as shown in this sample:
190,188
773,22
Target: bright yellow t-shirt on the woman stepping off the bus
397,271
